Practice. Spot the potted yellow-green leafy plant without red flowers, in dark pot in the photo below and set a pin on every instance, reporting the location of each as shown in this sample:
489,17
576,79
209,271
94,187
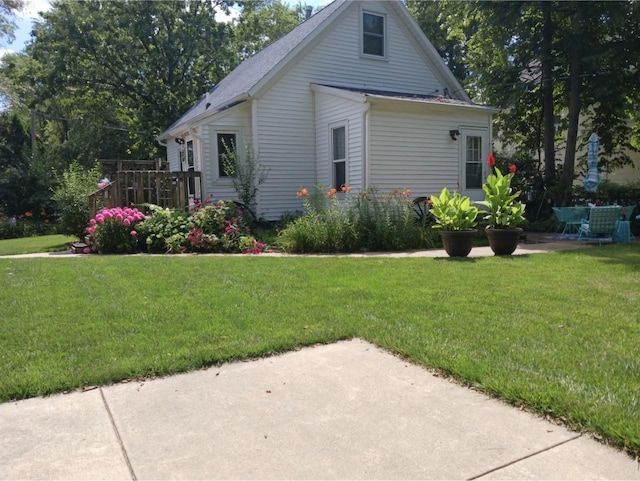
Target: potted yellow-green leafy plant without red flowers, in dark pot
455,216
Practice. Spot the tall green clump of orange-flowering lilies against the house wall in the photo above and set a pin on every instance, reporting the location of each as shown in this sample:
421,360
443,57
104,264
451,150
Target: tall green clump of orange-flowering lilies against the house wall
346,223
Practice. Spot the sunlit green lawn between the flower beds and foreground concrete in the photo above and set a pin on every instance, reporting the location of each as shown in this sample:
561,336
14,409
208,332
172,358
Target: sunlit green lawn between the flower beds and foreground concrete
558,333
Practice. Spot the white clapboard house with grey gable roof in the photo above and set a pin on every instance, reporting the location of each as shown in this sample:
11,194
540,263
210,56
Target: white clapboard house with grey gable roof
355,95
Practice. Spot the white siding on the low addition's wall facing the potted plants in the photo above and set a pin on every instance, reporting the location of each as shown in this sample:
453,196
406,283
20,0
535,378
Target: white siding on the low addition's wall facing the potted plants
410,148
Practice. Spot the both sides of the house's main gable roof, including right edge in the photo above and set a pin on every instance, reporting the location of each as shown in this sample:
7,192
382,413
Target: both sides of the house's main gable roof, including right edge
245,79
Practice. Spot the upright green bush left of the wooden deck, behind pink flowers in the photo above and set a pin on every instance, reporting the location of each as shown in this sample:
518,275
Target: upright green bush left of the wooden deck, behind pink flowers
72,198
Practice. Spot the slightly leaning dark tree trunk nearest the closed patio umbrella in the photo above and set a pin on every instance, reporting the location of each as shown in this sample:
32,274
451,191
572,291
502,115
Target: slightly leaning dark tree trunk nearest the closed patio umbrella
575,104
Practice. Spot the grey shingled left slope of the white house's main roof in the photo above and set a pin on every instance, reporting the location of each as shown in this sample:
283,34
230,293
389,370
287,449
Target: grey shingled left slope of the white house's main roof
236,86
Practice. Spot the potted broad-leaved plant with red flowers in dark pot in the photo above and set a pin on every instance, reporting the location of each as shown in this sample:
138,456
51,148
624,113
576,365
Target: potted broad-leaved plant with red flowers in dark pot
504,213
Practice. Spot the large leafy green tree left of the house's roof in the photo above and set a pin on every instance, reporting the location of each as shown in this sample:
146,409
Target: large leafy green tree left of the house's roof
126,69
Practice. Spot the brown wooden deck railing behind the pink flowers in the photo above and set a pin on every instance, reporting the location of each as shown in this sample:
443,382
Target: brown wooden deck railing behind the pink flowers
134,188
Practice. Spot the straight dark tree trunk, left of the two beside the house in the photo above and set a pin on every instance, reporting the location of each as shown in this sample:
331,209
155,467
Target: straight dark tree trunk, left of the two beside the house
547,95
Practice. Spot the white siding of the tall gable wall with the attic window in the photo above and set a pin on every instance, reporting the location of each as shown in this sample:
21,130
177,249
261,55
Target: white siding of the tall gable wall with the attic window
285,117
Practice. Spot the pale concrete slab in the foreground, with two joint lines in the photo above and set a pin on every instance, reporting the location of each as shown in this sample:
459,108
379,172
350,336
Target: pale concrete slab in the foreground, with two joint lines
343,411
